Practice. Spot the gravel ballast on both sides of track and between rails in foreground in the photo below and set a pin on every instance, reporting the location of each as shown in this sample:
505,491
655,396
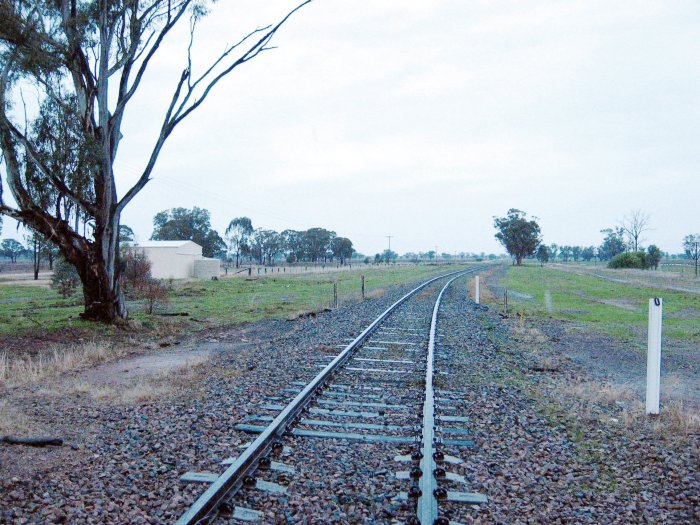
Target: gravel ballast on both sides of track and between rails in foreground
541,456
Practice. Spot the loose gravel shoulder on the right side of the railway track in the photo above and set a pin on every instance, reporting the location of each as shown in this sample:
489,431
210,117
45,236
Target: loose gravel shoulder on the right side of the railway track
554,446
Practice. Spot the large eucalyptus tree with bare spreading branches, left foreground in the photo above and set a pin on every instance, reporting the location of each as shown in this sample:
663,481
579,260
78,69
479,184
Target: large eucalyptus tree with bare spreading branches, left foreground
87,59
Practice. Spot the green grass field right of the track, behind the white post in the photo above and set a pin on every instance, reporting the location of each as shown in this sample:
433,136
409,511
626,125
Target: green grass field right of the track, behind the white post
616,309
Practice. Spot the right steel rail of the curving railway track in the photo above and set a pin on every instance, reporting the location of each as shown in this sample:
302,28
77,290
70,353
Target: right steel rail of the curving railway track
427,508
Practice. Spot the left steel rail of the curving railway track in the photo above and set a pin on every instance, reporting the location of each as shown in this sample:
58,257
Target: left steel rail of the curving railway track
233,477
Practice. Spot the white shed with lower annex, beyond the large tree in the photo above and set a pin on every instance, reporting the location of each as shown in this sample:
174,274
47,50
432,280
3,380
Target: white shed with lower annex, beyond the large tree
178,260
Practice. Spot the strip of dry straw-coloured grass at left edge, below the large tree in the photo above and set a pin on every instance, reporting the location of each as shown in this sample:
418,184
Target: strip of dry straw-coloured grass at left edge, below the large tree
19,370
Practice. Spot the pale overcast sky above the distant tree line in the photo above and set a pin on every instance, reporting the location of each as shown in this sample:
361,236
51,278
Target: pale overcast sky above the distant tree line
423,120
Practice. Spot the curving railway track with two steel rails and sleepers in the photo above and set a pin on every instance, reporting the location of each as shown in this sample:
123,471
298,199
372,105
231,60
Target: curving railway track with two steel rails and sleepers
379,390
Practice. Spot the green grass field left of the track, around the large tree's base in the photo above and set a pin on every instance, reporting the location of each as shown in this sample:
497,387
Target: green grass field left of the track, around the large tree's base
209,303
